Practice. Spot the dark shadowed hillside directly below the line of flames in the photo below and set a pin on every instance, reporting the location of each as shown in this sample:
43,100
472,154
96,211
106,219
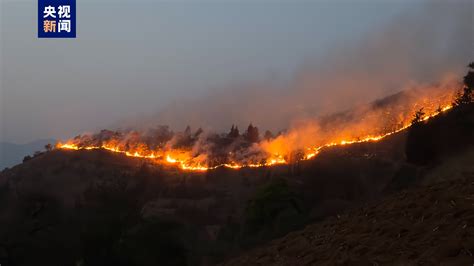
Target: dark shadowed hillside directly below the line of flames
99,208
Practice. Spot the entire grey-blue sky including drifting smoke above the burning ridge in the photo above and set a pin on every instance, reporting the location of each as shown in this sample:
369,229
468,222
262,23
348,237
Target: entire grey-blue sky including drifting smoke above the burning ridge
214,65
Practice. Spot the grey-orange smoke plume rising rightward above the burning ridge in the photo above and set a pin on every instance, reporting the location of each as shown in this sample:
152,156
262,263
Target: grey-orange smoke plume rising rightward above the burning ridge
422,47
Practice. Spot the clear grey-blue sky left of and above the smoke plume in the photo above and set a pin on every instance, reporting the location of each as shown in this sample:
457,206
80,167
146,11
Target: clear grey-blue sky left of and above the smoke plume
136,57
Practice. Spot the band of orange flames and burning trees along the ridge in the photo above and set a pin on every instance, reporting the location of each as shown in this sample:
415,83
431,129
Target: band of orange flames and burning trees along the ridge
200,150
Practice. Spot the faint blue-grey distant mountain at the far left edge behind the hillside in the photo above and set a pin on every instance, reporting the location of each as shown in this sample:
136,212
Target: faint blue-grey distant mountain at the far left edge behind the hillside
12,153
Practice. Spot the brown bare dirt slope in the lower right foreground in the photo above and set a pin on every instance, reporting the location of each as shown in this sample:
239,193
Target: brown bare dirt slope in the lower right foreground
430,225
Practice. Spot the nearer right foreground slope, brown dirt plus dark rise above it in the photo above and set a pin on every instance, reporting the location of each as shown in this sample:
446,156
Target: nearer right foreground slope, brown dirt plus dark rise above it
428,221
